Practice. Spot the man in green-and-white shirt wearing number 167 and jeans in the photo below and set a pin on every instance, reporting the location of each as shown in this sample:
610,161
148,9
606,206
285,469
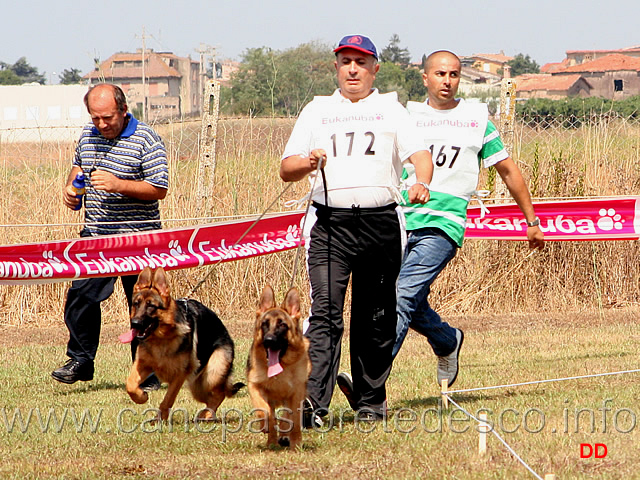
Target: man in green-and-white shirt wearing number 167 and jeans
461,138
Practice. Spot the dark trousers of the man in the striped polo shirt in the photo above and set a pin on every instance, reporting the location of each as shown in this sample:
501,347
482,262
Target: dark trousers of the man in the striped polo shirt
83,316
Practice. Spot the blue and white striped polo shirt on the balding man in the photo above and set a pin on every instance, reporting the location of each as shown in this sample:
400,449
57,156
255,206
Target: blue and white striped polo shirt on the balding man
137,154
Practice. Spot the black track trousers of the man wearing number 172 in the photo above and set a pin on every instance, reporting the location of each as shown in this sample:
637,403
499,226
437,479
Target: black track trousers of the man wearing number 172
364,244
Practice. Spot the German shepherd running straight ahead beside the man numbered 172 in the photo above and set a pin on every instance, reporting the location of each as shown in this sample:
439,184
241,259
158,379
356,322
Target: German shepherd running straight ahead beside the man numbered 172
278,367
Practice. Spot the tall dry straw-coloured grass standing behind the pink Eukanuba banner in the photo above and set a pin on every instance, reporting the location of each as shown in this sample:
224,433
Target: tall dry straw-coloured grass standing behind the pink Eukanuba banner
486,276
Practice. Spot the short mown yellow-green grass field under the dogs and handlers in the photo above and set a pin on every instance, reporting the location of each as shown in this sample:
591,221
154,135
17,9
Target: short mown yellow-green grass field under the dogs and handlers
543,423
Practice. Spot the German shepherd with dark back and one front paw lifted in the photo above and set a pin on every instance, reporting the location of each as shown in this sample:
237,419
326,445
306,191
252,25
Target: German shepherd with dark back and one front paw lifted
179,340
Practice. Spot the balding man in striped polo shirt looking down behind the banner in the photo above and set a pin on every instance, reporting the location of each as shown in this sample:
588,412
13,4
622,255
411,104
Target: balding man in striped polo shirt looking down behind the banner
125,165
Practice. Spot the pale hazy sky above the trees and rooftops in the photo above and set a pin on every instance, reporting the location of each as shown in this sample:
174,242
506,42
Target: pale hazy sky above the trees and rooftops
54,35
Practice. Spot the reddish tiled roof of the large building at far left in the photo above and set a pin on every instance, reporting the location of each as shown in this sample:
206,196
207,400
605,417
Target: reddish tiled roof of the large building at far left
155,67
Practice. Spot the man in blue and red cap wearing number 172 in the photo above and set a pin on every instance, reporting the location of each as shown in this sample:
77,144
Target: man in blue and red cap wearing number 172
360,138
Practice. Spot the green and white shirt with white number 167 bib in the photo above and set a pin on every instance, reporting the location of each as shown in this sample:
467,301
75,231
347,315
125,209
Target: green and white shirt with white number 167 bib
460,140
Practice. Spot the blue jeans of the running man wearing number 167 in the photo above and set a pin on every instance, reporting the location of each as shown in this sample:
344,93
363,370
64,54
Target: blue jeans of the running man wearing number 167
428,251
